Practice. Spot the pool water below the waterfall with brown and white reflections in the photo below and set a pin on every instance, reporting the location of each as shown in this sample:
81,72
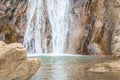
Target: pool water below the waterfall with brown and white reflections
71,68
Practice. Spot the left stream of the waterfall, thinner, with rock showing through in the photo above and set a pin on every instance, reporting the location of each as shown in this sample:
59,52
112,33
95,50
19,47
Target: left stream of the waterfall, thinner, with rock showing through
35,39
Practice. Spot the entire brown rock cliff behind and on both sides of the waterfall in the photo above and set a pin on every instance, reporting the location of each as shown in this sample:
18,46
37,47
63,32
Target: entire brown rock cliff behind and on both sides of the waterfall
95,25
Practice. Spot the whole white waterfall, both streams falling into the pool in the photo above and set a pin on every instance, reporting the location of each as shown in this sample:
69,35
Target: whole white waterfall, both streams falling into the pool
35,39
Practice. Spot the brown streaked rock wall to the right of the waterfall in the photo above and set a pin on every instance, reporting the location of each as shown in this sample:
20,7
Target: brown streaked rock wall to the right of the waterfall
98,29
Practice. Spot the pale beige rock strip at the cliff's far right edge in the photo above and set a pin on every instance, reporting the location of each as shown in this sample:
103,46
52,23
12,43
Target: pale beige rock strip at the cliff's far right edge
115,11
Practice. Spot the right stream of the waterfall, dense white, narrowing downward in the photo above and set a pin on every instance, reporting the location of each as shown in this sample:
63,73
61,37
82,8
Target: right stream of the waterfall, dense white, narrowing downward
58,11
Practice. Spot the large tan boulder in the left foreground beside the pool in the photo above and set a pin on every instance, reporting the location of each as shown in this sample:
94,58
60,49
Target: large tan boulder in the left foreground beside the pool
14,65
